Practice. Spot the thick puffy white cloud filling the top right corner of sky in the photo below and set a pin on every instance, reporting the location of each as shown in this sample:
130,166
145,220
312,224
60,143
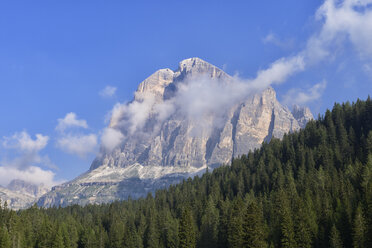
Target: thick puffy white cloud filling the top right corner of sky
349,20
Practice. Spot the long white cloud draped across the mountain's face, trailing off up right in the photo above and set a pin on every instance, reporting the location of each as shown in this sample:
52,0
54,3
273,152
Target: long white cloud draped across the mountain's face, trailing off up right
199,97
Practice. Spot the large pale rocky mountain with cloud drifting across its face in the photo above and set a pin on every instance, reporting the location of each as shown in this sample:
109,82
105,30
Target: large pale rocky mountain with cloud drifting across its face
179,124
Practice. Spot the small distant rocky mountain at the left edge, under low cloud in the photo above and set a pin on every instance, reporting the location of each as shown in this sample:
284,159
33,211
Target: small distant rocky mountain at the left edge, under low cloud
20,194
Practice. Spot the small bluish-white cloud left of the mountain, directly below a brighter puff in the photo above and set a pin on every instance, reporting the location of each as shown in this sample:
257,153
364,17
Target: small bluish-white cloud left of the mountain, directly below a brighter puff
80,145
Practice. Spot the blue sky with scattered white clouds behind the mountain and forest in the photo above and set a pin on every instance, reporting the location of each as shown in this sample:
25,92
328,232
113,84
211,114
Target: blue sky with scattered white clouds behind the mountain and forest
57,57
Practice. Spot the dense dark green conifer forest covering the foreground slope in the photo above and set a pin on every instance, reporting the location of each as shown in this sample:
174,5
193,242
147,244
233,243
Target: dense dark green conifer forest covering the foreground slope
313,188
